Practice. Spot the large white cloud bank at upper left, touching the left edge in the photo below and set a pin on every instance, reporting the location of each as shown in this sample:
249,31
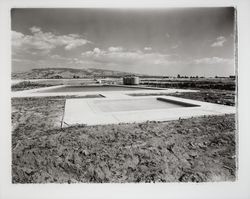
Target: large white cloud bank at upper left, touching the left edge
44,42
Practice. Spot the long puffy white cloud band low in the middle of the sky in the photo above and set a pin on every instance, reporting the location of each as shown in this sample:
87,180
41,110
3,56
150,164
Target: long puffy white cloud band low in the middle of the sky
145,62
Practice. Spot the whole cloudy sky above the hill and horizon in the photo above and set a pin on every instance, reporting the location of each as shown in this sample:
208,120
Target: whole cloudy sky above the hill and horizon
169,41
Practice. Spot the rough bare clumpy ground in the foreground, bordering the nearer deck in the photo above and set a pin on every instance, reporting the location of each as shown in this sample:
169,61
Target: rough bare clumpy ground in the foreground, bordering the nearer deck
191,150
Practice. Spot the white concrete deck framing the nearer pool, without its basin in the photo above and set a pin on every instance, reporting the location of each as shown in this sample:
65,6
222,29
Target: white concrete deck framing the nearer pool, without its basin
84,111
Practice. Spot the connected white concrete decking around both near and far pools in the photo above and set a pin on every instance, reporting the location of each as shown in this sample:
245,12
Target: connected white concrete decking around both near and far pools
85,111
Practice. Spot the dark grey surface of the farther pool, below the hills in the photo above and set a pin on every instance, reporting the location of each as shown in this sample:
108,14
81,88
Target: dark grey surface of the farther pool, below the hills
89,89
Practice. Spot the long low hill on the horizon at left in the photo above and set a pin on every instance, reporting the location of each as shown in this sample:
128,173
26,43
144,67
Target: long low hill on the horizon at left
58,73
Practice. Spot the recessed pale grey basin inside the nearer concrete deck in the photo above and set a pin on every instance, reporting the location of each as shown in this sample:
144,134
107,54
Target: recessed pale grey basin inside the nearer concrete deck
137,104
